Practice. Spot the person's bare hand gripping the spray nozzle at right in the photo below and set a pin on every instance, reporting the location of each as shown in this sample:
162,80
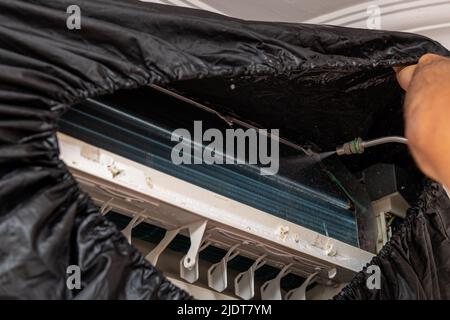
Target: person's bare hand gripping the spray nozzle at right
427,114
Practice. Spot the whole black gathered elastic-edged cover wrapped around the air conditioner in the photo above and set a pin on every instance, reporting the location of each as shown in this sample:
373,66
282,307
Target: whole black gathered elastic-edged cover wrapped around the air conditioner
295,77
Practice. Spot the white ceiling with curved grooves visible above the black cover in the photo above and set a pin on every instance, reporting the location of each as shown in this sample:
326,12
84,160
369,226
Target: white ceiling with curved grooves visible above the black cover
427,17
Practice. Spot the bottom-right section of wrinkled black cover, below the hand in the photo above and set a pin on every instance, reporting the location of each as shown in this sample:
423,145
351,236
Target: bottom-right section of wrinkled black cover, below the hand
415,263
